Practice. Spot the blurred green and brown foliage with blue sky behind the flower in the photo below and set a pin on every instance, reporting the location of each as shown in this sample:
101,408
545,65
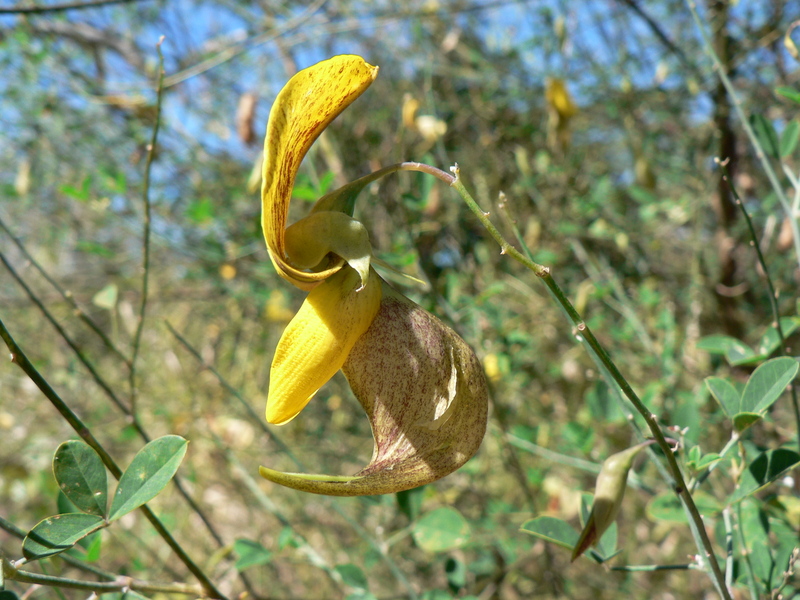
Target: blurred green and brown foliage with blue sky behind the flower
621,199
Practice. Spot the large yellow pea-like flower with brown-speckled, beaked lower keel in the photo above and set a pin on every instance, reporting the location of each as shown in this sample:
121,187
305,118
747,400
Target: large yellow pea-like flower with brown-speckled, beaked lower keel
420,384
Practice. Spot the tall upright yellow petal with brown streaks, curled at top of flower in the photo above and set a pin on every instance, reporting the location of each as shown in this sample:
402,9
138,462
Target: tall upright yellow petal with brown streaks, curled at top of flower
304,107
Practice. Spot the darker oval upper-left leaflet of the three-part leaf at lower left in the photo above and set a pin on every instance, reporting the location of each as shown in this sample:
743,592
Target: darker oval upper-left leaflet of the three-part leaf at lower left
81,476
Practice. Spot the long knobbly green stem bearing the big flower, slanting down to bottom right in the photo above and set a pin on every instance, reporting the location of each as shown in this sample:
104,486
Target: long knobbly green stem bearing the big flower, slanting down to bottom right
582,332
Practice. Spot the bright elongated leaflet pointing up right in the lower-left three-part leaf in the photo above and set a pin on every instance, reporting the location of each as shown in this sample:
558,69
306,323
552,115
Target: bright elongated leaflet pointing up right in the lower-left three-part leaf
148,474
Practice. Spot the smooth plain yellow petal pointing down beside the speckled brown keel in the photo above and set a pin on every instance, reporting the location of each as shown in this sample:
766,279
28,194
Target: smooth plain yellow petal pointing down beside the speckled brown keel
318,341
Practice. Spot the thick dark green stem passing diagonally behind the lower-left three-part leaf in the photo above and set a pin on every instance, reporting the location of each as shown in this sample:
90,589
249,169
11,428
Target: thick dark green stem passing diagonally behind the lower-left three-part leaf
20,359
